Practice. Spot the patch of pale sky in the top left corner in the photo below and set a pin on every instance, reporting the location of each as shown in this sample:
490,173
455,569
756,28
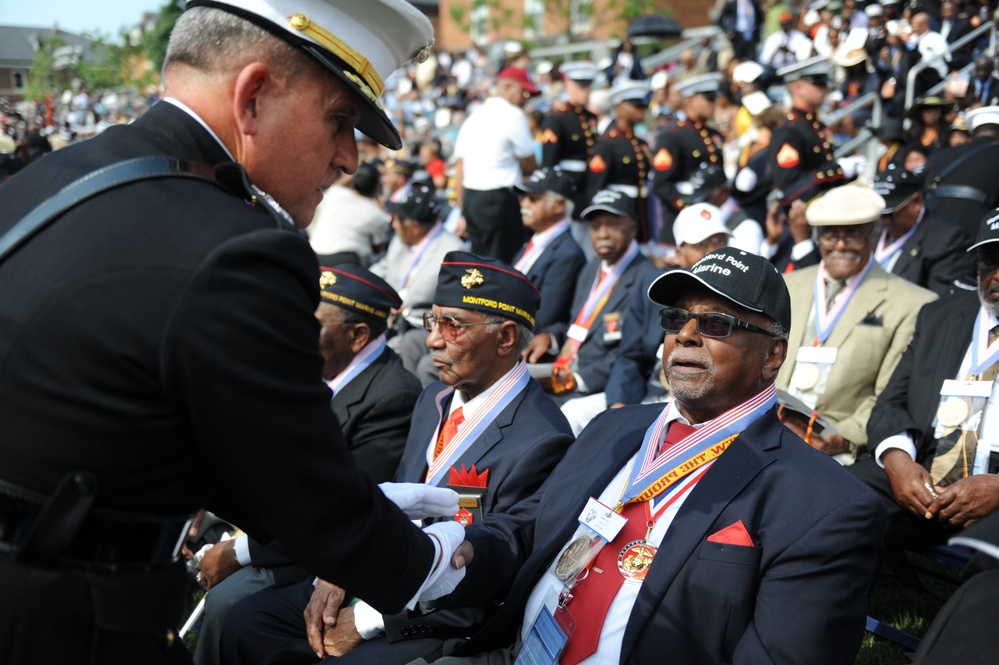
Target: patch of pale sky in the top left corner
104,16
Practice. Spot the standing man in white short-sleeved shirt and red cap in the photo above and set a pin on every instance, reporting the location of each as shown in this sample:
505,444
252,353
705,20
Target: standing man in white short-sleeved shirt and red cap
494,152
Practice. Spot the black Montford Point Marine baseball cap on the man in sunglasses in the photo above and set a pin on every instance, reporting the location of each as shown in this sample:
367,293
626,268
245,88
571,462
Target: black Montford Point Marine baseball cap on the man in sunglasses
746,279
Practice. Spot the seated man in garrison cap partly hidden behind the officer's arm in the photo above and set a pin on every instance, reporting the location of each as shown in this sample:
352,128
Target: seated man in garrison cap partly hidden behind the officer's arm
373,399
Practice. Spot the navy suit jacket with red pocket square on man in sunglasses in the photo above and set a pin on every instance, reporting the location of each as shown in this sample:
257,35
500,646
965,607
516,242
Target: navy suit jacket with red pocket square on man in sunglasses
798,596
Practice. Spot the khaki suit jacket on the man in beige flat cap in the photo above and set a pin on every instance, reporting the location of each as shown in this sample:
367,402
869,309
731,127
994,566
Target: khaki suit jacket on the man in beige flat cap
870,337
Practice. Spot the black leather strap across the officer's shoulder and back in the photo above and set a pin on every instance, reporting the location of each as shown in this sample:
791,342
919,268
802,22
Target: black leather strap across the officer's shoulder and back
92,184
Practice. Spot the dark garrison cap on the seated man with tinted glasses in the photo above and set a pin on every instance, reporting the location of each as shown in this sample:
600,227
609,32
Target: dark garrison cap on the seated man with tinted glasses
469,281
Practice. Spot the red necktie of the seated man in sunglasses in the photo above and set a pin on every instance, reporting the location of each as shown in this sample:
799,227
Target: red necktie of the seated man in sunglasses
592,597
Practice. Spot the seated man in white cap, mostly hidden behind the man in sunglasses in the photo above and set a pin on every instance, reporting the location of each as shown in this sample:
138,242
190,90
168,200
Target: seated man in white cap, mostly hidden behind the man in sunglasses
698,230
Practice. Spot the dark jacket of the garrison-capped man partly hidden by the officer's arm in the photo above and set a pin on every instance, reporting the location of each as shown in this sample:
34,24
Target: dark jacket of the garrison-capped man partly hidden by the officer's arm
374,410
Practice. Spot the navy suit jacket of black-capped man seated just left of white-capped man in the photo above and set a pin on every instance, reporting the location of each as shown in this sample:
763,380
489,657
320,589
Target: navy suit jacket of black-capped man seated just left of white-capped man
596,356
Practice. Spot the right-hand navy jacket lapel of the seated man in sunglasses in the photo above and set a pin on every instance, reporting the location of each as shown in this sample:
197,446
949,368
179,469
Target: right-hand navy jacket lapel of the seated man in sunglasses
735,469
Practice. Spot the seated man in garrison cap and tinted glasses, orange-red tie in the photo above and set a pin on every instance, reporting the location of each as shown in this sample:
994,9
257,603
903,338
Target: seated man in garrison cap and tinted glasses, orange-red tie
487,424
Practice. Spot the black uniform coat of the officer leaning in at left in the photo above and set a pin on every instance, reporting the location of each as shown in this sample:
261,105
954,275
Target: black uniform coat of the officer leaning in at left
192,346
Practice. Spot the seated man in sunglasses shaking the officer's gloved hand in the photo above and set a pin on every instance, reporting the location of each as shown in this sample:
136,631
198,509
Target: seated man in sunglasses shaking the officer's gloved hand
702,529
